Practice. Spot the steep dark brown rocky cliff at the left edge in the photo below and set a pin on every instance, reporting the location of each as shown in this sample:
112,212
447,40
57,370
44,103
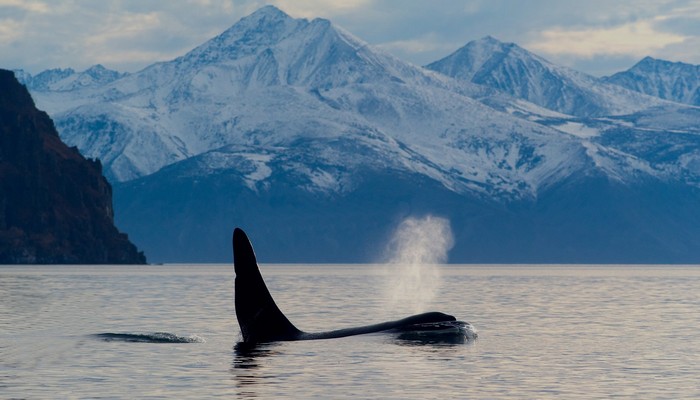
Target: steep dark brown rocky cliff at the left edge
55,206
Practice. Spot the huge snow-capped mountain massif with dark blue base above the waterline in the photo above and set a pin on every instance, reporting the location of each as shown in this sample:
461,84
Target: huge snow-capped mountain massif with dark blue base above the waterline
320,144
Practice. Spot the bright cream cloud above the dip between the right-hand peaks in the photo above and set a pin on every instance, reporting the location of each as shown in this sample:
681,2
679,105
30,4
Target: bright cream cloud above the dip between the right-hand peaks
638,38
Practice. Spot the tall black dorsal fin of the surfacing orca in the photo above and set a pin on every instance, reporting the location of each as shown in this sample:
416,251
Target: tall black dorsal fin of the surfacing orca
258,316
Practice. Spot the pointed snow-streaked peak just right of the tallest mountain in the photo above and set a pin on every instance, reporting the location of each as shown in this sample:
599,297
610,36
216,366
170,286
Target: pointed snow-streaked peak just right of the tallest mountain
520,73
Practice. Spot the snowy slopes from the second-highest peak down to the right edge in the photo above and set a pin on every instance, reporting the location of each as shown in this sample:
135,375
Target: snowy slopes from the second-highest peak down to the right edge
620,129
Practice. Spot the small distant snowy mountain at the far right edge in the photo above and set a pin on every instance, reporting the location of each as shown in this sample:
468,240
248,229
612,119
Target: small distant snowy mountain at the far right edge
668,80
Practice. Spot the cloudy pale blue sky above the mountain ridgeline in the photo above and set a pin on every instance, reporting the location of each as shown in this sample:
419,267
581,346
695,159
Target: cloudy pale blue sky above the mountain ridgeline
599,37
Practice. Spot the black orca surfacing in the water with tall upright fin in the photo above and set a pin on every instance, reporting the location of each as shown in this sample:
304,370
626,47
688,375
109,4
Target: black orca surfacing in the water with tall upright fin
261,321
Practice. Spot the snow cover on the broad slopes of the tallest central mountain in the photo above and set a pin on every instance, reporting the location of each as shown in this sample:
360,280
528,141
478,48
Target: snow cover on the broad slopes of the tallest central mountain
271,80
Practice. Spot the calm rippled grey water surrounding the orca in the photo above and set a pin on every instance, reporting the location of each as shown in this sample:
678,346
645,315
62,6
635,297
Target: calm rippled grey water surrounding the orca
552,331
